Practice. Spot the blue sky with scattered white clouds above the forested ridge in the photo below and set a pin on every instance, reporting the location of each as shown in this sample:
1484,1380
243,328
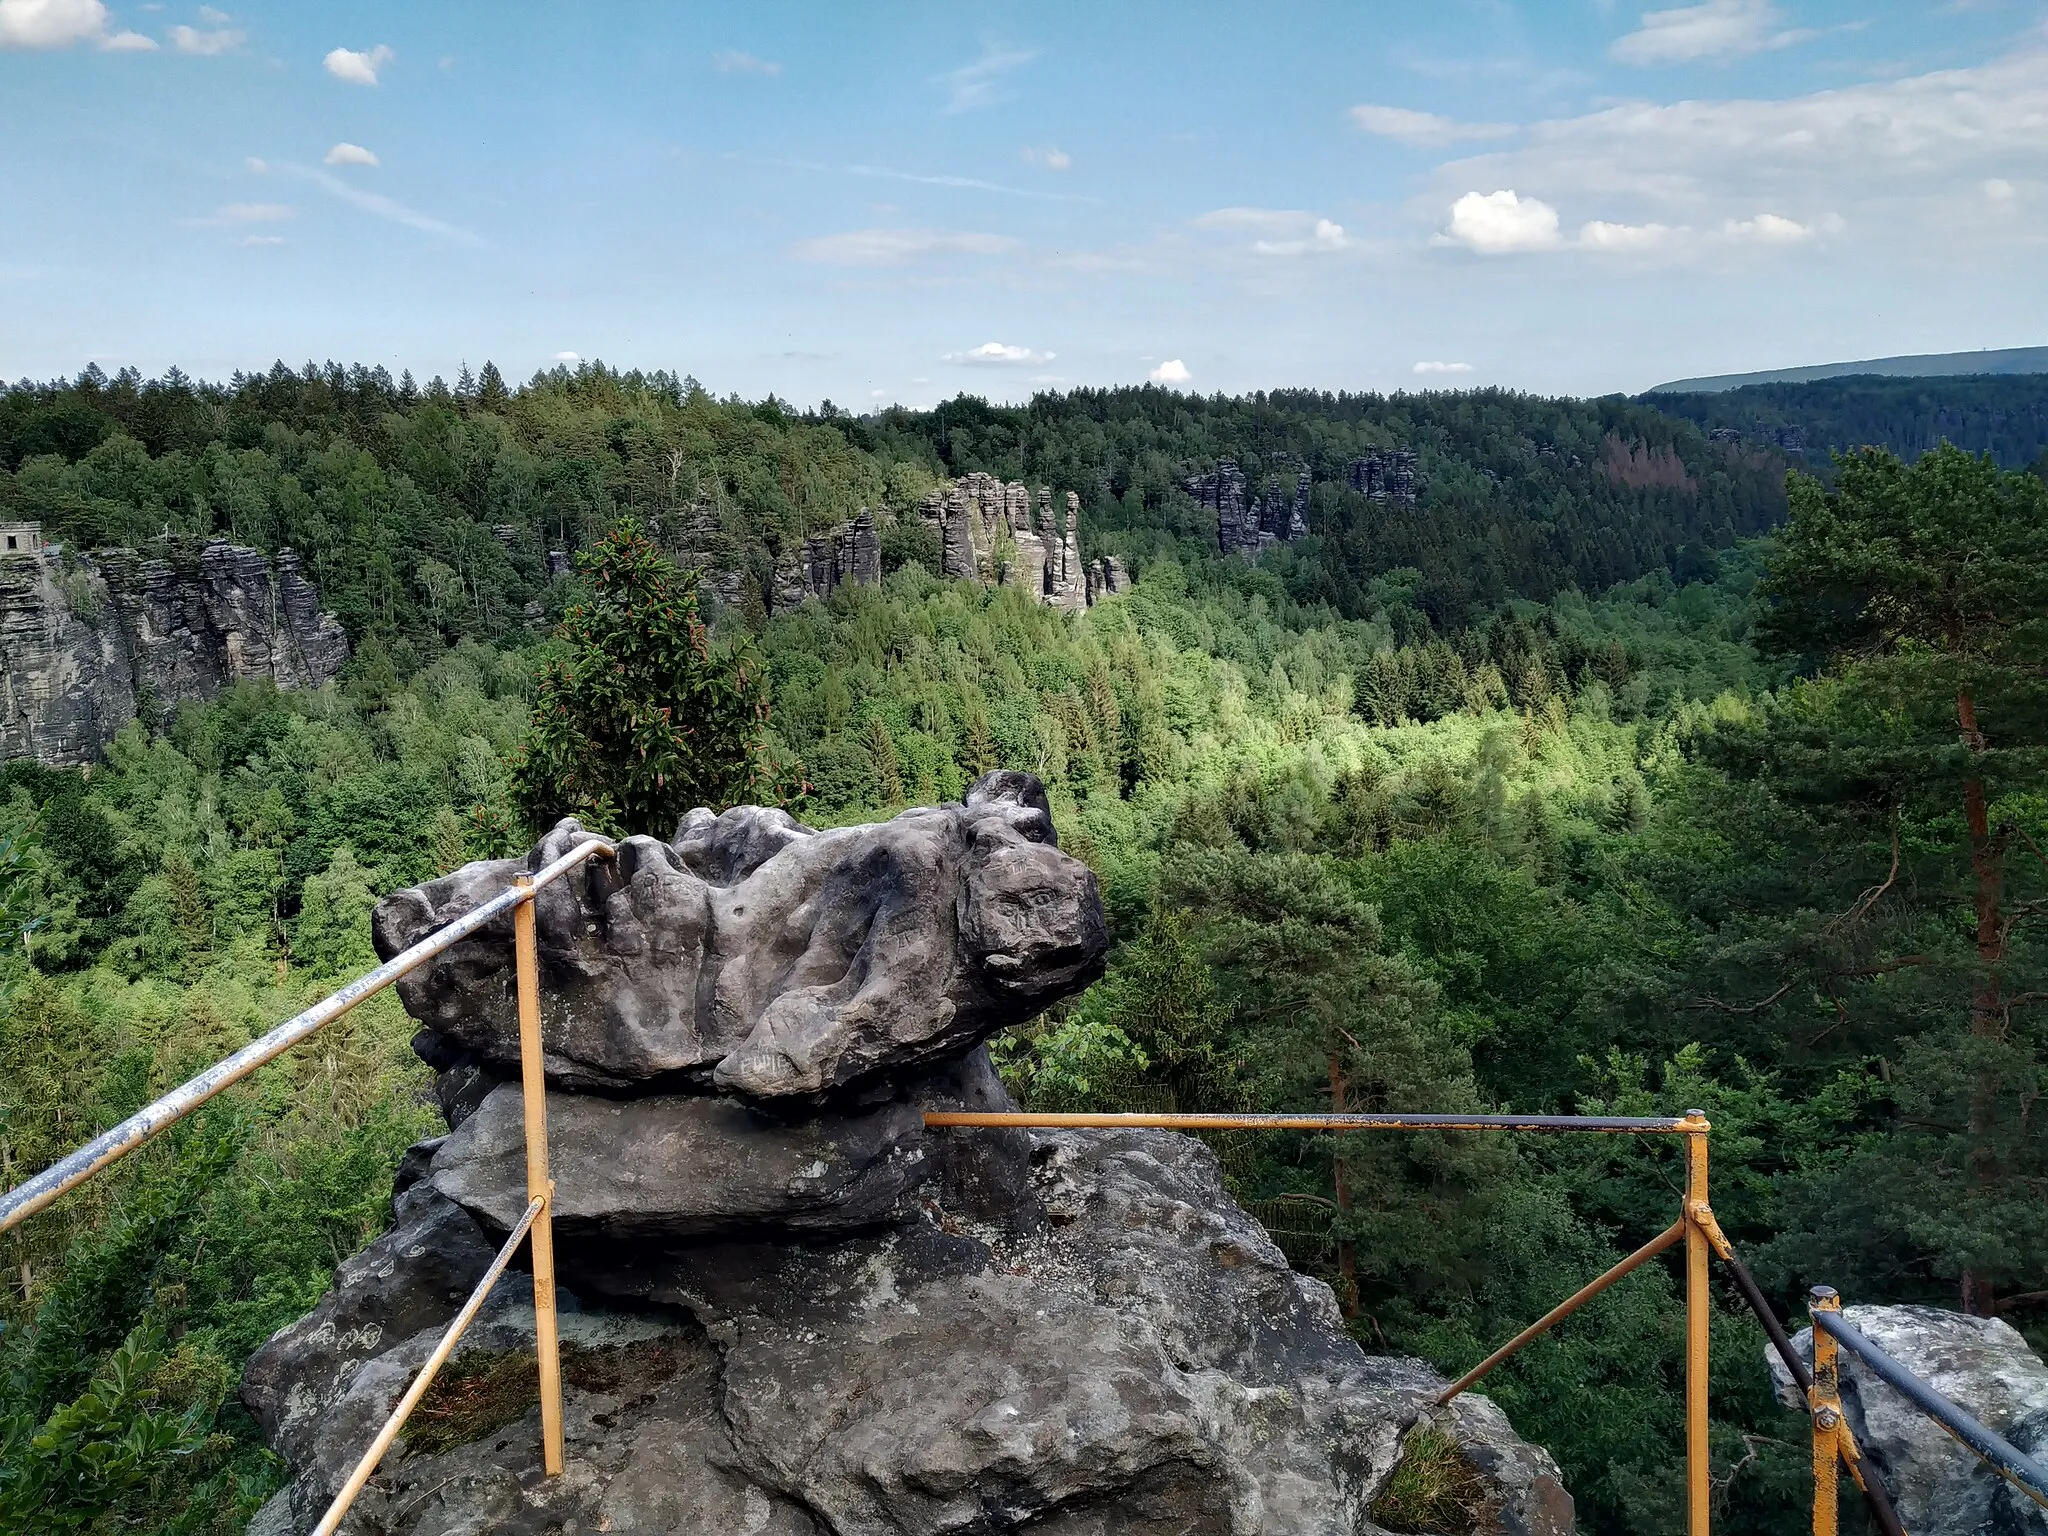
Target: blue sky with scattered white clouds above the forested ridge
902,202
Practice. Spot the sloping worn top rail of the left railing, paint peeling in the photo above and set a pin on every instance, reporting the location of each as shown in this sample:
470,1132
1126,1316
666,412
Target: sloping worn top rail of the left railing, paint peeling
110,1148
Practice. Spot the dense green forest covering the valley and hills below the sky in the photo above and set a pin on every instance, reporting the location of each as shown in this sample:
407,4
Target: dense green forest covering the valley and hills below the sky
1572,787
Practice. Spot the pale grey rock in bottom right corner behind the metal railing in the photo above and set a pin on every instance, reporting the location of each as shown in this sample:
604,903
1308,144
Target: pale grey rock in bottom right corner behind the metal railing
1977,1363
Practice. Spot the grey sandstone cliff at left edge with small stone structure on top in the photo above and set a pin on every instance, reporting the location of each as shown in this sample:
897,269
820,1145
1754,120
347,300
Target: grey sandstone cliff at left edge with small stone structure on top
87,642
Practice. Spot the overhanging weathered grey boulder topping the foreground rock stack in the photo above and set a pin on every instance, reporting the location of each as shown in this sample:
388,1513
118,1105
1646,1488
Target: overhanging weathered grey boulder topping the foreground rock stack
757,957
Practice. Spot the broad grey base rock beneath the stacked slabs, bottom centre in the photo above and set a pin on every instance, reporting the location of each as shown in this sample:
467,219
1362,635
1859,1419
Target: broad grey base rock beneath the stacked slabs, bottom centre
1132,1355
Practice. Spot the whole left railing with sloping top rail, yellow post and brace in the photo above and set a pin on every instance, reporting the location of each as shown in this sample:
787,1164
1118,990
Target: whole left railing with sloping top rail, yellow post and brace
536,1226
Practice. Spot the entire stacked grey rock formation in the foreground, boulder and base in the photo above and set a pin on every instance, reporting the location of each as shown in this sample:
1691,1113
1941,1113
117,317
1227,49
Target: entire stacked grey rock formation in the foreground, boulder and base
794,1310
